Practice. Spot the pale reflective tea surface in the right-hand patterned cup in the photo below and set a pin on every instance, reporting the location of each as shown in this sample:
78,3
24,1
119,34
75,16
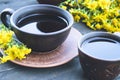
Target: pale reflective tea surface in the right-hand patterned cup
102,48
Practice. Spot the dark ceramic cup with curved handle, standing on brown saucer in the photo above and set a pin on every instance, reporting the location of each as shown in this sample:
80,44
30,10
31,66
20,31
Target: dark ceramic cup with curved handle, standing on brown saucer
50,37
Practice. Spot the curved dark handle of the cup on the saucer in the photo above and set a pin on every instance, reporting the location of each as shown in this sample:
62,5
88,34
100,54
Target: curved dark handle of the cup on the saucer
5,17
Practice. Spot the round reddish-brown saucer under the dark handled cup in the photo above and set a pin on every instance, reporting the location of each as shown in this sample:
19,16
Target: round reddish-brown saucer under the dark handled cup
61,55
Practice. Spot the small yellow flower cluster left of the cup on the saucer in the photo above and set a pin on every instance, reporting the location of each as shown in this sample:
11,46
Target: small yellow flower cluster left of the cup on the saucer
10,47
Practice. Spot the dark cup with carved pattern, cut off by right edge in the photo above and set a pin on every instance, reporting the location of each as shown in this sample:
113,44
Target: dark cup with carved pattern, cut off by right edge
99,55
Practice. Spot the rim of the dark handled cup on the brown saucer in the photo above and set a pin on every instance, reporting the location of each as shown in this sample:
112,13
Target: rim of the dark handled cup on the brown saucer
43,5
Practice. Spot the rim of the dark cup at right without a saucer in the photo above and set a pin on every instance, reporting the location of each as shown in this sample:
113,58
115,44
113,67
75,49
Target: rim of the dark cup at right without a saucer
97,33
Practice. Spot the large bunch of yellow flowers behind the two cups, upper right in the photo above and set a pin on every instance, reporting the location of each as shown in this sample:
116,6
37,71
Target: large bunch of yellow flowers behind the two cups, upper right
97,14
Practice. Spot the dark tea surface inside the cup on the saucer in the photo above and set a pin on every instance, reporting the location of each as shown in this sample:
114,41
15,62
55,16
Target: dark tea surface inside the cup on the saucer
40,23
